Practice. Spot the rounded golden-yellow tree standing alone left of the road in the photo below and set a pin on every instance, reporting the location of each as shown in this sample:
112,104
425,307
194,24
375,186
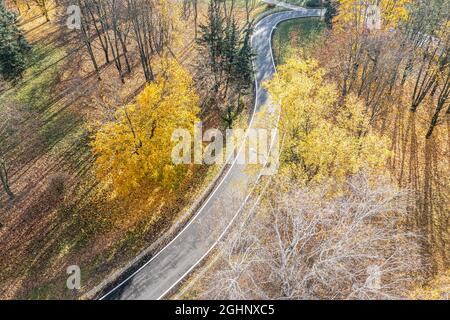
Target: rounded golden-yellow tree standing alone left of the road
134,151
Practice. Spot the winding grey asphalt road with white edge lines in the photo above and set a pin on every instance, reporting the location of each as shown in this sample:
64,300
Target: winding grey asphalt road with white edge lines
176,260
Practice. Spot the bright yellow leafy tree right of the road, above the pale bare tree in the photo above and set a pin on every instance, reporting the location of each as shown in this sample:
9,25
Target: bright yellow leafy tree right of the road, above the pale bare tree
321,139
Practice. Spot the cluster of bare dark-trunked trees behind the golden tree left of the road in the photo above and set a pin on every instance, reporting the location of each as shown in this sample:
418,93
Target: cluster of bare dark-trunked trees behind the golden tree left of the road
120,27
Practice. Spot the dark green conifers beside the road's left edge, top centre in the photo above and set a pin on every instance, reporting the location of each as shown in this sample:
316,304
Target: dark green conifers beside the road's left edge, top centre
226,70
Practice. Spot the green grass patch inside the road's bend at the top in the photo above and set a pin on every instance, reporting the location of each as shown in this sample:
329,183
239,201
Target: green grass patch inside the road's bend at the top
296,35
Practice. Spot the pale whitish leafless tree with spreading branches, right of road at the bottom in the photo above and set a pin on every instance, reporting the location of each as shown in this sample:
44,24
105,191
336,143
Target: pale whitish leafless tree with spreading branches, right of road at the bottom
306,244
